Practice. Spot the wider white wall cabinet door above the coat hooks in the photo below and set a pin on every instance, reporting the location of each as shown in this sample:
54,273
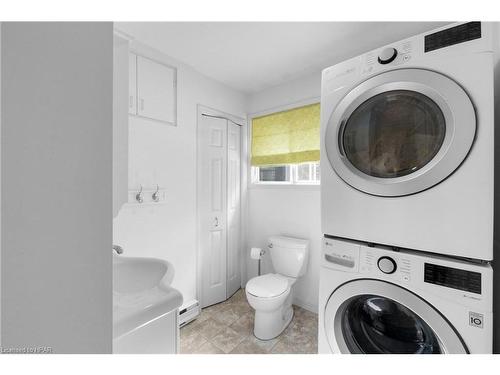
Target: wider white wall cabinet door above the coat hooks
156,90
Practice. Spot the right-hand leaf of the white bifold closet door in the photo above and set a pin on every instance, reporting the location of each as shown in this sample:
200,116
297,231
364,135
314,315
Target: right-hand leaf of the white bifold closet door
233,207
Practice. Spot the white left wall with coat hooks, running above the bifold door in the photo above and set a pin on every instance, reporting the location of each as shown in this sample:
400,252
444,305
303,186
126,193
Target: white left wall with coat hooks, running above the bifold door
166,155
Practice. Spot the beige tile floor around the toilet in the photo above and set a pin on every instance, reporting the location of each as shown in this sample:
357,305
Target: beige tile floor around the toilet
228,328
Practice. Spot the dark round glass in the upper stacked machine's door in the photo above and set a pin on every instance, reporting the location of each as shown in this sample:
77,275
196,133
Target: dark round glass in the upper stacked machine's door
393,134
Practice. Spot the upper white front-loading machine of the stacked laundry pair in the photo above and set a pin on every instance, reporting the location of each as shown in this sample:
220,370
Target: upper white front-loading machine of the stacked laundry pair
407,144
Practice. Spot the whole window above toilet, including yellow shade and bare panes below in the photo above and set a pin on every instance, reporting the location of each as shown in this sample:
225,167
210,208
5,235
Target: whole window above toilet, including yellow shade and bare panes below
285,147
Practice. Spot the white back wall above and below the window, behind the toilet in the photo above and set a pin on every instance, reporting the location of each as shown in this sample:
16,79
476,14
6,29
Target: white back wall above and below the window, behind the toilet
287,210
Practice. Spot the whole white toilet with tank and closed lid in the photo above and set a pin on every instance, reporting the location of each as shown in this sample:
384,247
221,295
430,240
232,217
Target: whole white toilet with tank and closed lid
271,295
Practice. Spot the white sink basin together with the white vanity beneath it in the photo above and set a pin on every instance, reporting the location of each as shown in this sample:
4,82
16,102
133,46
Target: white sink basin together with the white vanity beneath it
144,306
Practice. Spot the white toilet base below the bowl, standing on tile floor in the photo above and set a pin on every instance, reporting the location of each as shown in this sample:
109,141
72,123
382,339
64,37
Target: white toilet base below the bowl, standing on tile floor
270,324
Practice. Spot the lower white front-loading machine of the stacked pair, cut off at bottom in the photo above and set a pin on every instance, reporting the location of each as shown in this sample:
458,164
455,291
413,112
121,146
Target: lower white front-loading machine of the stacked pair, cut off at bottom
375,300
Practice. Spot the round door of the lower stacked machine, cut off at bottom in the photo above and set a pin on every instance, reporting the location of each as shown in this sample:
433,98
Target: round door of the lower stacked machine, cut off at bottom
373,316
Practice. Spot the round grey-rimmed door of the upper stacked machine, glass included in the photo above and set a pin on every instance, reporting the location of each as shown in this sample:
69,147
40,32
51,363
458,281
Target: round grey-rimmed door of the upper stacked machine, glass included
400,132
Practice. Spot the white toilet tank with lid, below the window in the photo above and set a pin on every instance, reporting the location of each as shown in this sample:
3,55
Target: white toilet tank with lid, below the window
289,255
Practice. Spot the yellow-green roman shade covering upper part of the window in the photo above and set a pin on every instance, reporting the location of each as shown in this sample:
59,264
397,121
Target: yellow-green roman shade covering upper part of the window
287,137
